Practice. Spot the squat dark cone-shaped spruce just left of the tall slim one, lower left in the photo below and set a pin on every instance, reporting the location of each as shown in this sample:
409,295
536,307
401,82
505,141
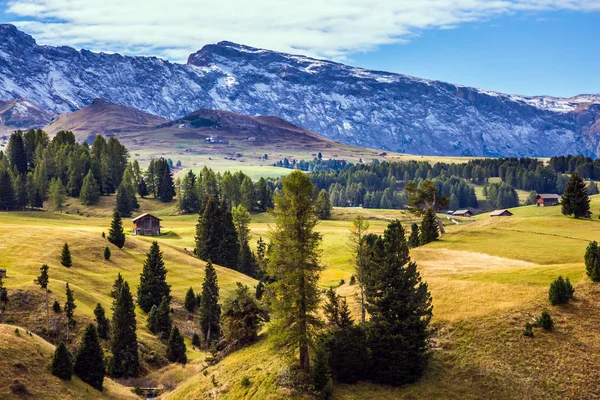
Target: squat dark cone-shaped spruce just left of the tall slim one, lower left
89,362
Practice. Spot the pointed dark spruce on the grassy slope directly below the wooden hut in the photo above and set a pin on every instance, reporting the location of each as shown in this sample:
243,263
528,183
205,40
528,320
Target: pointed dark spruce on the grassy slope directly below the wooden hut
153,280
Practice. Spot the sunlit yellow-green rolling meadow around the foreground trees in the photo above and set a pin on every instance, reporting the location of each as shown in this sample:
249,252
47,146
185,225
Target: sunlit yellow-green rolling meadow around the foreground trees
487,276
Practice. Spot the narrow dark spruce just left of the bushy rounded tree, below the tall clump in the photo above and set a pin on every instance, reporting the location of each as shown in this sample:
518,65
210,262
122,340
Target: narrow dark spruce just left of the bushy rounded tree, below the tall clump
210,310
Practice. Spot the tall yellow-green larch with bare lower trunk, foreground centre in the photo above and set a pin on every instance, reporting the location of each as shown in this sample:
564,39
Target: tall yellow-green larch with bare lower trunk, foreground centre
294,264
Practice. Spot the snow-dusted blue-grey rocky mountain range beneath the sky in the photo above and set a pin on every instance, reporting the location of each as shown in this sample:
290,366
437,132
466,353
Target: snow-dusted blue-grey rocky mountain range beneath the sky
351,105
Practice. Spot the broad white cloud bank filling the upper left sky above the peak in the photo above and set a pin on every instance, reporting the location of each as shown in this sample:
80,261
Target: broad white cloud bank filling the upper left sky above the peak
329,29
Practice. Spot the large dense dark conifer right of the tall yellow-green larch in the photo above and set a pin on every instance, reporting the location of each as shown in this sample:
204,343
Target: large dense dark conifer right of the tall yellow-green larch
400,307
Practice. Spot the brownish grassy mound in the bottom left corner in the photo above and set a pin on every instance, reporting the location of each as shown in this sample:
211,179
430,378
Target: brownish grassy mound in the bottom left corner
28,358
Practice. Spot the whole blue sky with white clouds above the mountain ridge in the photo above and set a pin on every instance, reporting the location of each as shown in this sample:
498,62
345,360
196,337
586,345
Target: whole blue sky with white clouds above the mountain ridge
528,47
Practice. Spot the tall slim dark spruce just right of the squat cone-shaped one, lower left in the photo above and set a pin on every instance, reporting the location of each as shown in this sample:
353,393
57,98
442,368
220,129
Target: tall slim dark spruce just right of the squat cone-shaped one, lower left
125,361
